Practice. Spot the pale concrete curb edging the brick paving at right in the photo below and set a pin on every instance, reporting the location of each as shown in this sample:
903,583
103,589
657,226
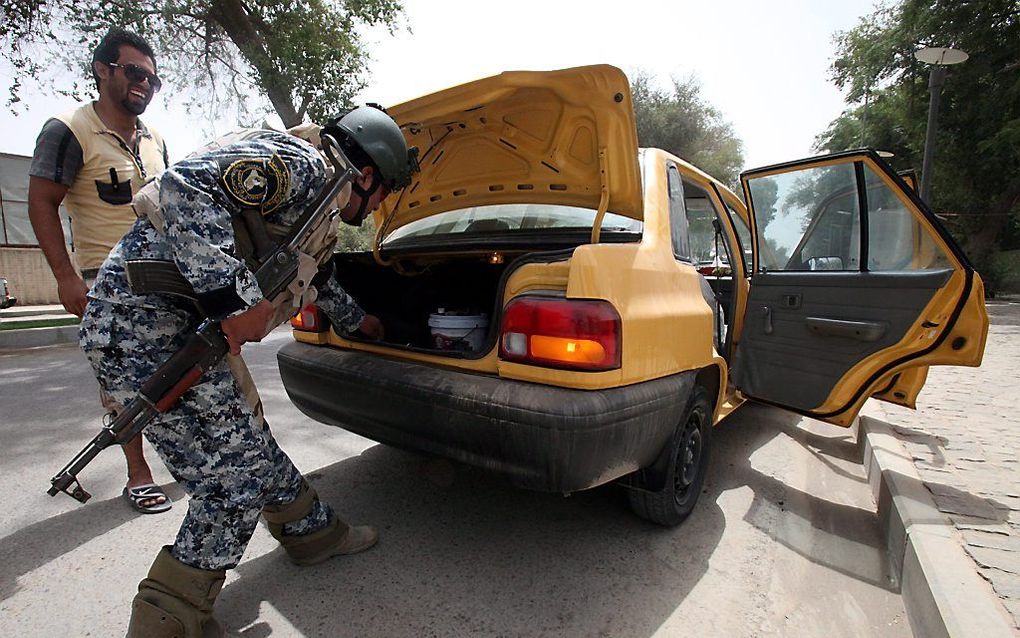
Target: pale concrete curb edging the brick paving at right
942,592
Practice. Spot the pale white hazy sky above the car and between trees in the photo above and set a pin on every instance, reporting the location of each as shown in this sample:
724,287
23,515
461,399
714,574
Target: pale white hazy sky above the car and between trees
763,65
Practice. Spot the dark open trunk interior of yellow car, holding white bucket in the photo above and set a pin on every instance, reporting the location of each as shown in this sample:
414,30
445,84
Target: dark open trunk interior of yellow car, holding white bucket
446,297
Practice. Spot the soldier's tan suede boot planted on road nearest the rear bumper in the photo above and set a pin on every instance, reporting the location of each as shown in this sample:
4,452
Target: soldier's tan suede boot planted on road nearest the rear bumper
337,538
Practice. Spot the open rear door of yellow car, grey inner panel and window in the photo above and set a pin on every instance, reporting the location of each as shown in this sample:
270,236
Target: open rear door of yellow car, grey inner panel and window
856,289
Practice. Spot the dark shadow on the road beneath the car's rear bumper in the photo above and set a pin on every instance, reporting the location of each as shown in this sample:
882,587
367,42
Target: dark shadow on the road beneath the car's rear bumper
463,554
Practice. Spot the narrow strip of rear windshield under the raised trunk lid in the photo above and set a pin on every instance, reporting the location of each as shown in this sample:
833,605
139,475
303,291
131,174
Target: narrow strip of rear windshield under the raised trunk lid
515,219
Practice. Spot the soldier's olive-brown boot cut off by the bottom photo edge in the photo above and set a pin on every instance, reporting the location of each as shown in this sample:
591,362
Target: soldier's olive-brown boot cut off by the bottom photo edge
176,602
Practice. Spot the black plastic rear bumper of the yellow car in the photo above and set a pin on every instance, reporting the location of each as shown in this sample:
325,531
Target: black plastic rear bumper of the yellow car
540,437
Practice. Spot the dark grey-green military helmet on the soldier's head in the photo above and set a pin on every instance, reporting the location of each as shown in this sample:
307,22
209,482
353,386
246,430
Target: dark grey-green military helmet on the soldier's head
380,137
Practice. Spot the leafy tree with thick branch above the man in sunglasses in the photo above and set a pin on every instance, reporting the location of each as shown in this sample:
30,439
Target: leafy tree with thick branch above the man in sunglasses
305,57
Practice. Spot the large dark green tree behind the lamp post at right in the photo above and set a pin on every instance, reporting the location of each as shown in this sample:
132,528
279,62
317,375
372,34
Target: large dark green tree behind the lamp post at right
977,177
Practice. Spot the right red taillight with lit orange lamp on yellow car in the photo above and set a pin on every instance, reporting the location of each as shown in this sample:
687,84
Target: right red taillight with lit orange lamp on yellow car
582,334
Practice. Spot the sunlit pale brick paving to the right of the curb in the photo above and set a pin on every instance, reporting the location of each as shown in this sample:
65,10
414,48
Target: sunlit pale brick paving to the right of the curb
965,441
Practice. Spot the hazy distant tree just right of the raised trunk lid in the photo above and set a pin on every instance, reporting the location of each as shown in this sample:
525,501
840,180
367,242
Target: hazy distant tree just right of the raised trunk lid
681,122
